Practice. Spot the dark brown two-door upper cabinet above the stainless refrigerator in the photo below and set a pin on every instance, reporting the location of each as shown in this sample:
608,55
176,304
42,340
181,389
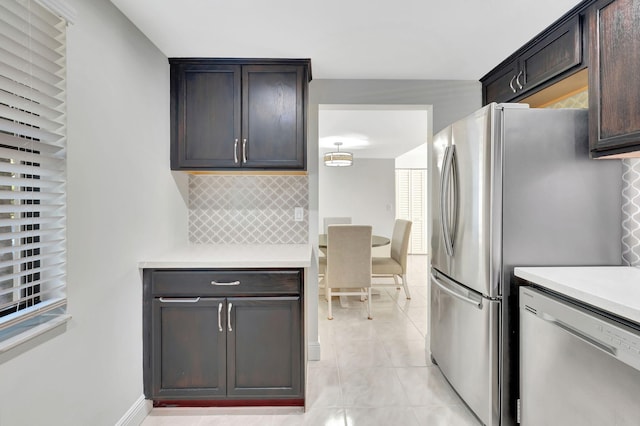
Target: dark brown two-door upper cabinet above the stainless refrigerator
551,56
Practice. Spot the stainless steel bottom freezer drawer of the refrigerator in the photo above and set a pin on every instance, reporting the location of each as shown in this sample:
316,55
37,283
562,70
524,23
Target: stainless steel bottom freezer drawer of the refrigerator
464,331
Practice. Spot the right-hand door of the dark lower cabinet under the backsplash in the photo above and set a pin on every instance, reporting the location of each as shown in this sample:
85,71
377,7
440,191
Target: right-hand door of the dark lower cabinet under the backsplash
264,347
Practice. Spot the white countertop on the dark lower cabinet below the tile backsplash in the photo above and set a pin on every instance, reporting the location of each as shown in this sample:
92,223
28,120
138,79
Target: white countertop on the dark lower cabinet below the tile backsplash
233,256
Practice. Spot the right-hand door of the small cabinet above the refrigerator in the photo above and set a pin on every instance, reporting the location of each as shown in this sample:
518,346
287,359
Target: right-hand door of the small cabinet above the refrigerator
556,53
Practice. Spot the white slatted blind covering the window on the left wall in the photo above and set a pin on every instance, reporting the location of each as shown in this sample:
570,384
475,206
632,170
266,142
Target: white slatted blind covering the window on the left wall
32,165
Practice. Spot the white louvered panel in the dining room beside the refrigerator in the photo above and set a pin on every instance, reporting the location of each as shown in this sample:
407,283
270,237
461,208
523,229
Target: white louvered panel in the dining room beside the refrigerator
411,205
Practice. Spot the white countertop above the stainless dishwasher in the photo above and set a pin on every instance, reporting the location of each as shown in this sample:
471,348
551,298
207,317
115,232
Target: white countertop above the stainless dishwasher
615,289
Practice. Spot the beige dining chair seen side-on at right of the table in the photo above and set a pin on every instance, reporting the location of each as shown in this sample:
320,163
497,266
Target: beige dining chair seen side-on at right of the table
395,265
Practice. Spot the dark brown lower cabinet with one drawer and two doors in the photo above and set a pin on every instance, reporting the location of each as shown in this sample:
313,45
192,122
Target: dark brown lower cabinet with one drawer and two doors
244,349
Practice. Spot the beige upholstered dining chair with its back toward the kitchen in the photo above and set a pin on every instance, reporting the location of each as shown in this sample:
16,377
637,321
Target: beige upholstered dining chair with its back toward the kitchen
348,269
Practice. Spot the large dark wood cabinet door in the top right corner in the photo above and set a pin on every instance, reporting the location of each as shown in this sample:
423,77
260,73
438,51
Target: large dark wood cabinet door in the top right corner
614,86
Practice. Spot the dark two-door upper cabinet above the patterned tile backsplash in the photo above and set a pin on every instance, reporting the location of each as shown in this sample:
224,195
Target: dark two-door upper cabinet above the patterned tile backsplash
235,114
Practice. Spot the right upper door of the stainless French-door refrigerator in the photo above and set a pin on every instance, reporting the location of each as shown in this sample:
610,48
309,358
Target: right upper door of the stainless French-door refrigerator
475,202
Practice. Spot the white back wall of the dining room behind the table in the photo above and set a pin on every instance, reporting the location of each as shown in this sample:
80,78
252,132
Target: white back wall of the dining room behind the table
364,191
